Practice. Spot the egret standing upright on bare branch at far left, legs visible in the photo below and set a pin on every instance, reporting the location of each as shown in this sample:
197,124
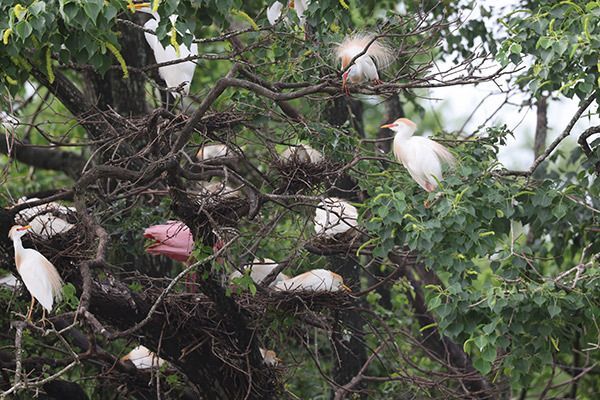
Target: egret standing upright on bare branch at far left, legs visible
38,274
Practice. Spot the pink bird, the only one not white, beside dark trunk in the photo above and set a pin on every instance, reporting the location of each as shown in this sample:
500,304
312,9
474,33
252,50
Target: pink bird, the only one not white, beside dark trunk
172,239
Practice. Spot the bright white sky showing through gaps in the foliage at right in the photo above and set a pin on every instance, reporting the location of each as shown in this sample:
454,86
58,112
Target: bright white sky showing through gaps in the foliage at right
455,104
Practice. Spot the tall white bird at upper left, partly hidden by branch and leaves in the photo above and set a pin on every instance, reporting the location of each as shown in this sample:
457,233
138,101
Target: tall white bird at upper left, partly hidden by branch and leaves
175,75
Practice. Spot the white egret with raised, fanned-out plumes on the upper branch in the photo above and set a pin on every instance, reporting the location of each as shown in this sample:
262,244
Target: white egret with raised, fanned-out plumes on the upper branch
365,68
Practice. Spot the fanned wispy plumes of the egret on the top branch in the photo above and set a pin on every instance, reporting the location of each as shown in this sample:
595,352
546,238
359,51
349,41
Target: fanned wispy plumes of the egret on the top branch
356,44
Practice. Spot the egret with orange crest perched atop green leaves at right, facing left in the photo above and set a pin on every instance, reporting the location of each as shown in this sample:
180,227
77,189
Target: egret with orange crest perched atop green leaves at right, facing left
422,157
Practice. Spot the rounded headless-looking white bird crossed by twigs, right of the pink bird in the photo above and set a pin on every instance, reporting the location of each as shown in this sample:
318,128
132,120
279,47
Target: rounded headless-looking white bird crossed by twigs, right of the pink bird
334,216
